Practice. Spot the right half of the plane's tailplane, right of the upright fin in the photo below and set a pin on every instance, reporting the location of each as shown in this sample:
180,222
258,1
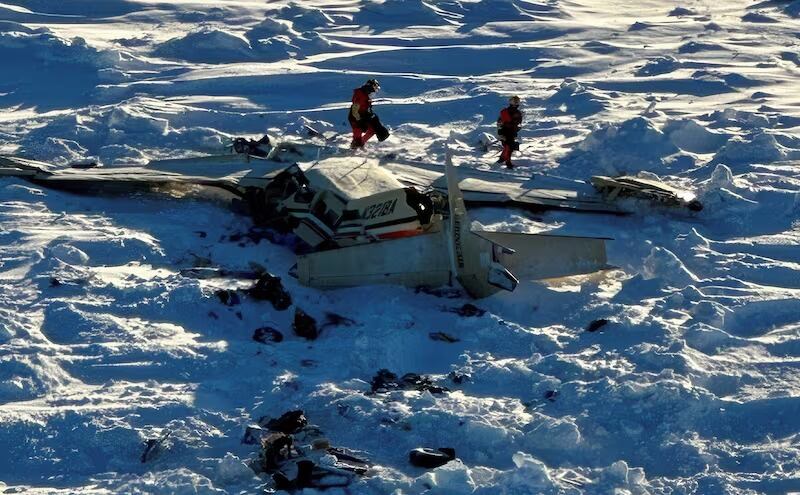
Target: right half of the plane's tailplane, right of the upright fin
540,256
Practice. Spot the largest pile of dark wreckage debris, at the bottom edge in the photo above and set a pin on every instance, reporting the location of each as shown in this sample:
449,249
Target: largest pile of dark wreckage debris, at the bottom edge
297,455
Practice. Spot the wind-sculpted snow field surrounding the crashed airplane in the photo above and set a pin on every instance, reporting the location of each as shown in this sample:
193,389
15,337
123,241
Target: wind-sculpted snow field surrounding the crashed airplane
675,371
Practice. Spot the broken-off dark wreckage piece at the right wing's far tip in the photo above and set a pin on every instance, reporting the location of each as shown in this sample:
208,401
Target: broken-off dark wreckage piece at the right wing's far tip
644,188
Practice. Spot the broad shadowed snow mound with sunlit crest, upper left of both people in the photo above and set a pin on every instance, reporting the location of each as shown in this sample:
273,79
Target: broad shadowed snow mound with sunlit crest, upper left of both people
206,45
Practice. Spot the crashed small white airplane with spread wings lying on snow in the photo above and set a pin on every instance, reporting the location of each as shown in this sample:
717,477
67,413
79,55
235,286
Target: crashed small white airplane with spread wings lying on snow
367,221
